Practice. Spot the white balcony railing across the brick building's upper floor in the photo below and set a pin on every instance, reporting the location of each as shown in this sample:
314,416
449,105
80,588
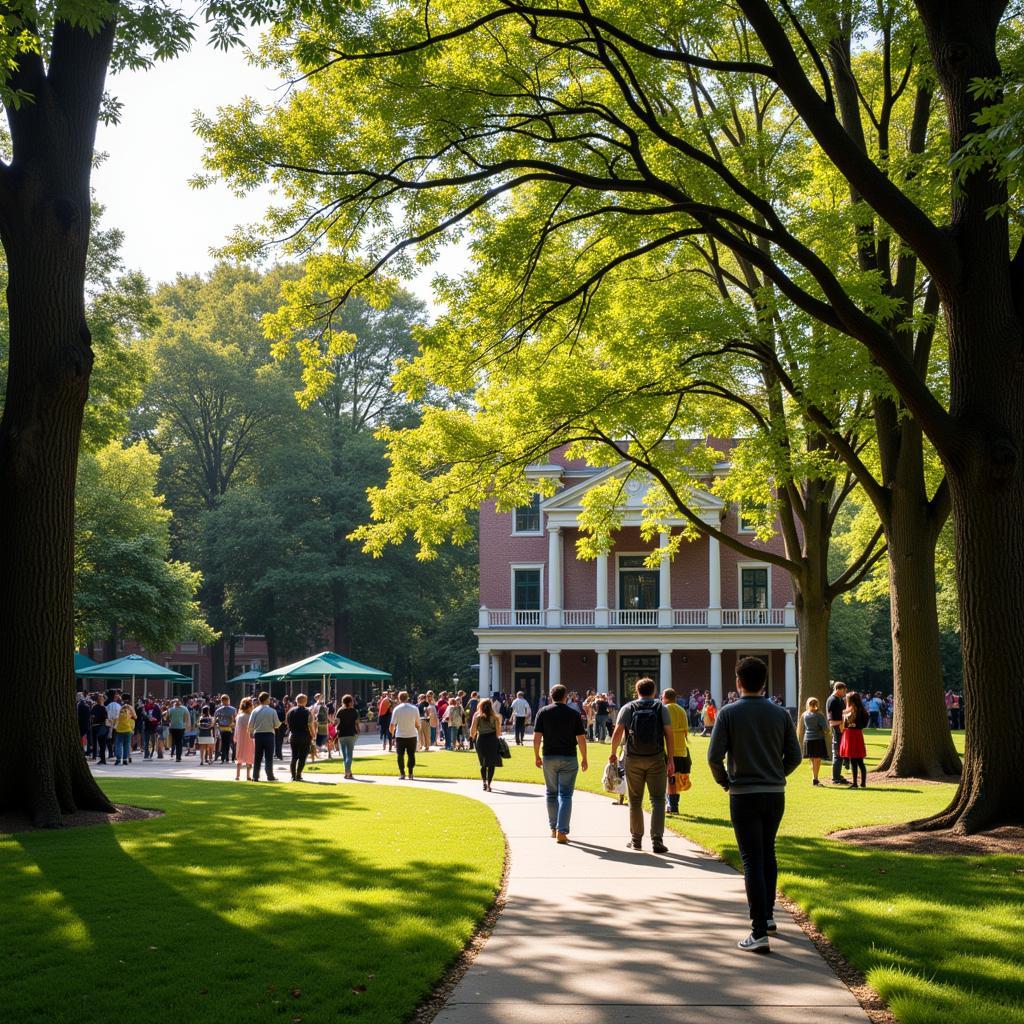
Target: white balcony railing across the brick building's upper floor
637,618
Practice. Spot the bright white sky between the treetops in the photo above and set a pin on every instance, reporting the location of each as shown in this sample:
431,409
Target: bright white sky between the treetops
169,228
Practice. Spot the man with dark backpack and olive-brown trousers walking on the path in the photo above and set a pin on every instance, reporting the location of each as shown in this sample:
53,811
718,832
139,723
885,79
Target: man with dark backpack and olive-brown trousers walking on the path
650,751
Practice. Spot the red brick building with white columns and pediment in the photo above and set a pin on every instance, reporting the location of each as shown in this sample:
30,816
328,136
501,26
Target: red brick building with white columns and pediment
548,617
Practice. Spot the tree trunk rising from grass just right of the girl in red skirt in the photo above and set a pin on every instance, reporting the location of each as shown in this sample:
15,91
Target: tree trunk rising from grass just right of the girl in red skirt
922,745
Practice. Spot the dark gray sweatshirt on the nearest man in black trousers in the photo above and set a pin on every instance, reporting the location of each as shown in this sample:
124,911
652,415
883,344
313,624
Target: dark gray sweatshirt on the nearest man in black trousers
760,743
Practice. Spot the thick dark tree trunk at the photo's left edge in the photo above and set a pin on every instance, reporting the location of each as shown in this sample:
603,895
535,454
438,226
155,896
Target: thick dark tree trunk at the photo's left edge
45,228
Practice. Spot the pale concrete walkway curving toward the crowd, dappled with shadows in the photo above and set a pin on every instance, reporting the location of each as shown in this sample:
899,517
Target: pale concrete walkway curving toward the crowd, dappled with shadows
593,933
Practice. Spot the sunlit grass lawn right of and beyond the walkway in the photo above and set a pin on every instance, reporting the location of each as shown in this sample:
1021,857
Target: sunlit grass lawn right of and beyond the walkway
940,937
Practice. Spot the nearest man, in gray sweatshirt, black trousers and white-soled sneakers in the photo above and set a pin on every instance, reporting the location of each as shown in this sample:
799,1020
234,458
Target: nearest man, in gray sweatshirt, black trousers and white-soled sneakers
760,743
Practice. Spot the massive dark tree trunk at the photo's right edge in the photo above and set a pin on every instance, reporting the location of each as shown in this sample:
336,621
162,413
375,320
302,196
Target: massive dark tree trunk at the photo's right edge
986,460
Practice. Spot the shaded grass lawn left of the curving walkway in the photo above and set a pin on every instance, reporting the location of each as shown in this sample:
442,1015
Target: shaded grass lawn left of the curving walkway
245,904
